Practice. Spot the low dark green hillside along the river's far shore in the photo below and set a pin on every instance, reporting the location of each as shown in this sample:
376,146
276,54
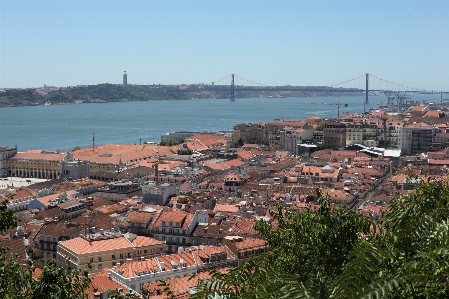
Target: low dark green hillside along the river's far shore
118,92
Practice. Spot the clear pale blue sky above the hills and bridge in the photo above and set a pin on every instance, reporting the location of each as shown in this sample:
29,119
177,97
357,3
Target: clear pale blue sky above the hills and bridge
271,42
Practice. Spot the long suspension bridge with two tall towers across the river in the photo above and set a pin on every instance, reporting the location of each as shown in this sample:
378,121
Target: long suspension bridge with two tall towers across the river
365,83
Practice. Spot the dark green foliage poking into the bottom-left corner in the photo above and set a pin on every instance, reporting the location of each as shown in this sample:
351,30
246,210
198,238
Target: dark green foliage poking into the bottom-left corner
16,281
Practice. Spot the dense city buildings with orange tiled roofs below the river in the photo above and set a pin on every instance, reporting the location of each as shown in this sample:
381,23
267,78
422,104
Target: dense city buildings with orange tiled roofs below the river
142,213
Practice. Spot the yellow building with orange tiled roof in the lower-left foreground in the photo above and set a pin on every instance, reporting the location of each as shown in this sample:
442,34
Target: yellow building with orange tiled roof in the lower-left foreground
106,250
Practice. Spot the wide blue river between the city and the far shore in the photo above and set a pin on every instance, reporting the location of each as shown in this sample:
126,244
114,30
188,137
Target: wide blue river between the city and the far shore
66,126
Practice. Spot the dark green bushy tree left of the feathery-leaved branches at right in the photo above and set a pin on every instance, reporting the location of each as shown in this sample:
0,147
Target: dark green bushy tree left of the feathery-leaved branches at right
308,249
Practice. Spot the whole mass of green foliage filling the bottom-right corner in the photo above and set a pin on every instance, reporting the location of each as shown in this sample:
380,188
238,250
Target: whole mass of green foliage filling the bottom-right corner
336,253
